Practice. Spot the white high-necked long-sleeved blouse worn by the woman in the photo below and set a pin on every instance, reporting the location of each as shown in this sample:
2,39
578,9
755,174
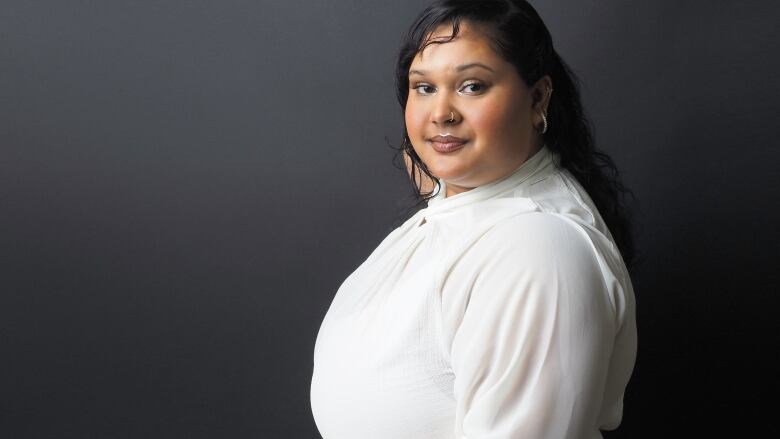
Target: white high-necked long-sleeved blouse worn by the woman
502,312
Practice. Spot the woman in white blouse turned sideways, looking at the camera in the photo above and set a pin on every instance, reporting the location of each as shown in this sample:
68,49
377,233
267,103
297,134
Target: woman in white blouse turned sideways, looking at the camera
504,308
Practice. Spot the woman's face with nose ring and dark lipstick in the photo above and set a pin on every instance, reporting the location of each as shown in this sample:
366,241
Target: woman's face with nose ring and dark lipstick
494,111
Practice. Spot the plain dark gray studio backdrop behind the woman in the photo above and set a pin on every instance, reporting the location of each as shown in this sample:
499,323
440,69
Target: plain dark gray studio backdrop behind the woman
185,184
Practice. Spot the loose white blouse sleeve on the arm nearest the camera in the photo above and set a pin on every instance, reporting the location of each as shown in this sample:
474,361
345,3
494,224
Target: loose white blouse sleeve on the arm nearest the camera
532,347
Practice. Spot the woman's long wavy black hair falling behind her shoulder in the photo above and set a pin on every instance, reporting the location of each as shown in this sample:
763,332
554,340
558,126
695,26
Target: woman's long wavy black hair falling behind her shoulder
518,34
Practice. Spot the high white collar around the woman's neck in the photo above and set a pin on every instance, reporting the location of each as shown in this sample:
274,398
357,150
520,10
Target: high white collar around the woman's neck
438,203
